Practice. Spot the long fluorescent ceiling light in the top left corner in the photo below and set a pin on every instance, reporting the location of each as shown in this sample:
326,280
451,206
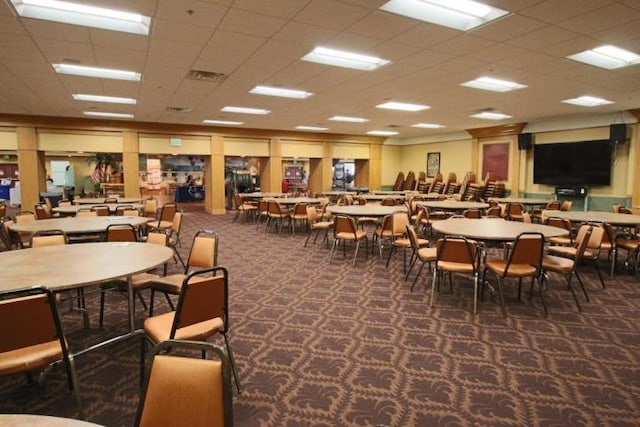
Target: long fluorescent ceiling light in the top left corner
80,14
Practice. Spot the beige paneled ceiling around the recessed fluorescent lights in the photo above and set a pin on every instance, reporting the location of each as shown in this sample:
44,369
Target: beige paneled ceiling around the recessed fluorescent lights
260,42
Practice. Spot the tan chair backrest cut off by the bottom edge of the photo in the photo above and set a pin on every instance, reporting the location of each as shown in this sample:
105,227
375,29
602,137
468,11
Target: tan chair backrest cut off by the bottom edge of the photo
198,391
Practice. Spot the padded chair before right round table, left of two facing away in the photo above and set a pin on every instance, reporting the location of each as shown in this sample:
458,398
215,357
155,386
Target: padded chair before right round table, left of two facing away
457,255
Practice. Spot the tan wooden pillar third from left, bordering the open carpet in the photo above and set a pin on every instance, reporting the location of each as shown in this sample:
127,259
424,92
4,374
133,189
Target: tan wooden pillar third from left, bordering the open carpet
214,178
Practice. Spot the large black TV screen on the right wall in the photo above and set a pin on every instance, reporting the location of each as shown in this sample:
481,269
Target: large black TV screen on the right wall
572,163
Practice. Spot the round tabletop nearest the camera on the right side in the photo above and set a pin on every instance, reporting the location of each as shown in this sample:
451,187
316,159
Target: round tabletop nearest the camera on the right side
494,229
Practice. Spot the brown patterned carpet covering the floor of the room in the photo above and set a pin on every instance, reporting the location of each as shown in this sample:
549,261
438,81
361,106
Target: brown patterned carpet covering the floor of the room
335,345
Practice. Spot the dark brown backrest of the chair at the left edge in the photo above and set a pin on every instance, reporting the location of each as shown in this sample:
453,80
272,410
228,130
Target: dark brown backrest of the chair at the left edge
33,316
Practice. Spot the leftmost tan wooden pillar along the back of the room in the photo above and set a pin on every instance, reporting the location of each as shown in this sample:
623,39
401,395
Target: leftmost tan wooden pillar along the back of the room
31,166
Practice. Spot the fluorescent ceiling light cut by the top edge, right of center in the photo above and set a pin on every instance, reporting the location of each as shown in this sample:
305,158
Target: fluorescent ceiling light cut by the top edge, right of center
462,15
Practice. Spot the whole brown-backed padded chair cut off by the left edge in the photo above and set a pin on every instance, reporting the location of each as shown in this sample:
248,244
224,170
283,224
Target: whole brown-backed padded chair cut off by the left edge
32,338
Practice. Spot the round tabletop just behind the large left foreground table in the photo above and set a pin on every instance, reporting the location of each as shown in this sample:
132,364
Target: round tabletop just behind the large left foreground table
73,225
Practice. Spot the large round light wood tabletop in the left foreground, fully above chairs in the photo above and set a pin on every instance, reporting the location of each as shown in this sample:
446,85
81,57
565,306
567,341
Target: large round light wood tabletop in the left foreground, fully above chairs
72,266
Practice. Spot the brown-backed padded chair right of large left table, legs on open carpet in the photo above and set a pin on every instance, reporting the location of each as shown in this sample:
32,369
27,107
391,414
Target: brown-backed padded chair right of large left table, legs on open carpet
202,311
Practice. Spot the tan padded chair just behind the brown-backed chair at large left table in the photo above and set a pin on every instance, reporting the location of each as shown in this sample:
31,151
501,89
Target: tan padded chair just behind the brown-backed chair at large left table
203,255
